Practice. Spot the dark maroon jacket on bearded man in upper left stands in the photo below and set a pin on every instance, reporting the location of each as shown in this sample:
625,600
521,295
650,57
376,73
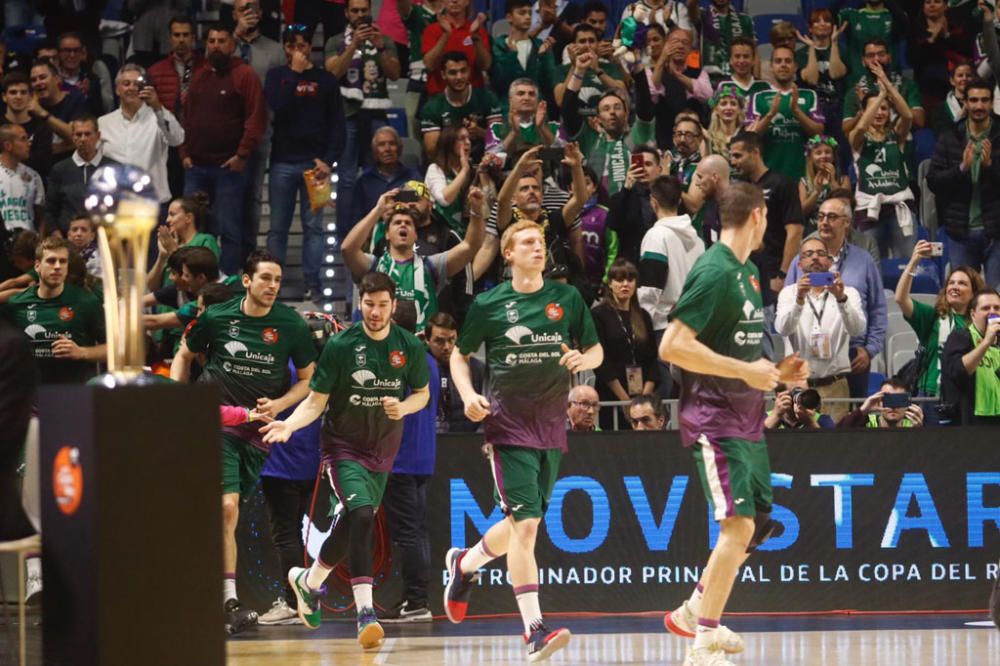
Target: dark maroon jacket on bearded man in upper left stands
224,115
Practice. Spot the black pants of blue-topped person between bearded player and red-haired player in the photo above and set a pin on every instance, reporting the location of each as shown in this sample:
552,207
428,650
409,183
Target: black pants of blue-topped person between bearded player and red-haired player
405,504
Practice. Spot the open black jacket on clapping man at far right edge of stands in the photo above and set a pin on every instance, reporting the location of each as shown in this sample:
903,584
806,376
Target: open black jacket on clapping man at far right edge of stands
953,189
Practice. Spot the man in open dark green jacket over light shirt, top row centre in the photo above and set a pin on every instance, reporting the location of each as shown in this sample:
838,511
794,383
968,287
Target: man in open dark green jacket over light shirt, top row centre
519,55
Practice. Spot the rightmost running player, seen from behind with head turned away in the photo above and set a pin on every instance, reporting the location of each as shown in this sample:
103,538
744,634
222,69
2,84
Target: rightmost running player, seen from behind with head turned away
714,337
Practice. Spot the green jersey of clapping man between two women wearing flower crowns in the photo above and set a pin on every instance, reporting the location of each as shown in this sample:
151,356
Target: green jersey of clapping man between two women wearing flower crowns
785,138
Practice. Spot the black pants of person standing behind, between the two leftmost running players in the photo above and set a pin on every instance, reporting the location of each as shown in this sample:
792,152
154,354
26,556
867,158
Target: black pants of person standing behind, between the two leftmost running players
287,501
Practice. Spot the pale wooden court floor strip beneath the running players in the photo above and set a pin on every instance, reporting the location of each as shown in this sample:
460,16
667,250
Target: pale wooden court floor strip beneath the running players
845,639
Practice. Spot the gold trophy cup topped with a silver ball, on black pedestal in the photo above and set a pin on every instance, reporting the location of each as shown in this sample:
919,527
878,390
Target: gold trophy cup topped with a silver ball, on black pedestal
122,202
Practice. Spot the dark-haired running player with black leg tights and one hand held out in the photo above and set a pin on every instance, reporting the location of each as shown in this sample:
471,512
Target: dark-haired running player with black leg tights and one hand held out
365,374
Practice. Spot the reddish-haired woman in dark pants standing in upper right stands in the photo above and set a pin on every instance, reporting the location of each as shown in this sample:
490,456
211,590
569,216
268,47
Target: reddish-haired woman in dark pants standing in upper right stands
821,67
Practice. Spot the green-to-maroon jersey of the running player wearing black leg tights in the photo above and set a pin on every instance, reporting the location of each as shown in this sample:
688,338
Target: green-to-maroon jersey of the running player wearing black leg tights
357,372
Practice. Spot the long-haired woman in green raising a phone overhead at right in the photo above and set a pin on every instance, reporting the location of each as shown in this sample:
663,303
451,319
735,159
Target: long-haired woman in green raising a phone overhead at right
934,323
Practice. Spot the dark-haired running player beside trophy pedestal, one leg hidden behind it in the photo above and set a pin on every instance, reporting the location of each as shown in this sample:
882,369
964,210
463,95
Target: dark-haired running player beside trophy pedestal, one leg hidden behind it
248,342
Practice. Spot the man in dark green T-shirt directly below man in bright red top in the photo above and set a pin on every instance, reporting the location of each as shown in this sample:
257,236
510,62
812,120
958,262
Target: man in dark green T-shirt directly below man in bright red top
459,104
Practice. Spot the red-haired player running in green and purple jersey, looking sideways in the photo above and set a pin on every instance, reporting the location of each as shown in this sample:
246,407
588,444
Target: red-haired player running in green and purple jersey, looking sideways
529,326
